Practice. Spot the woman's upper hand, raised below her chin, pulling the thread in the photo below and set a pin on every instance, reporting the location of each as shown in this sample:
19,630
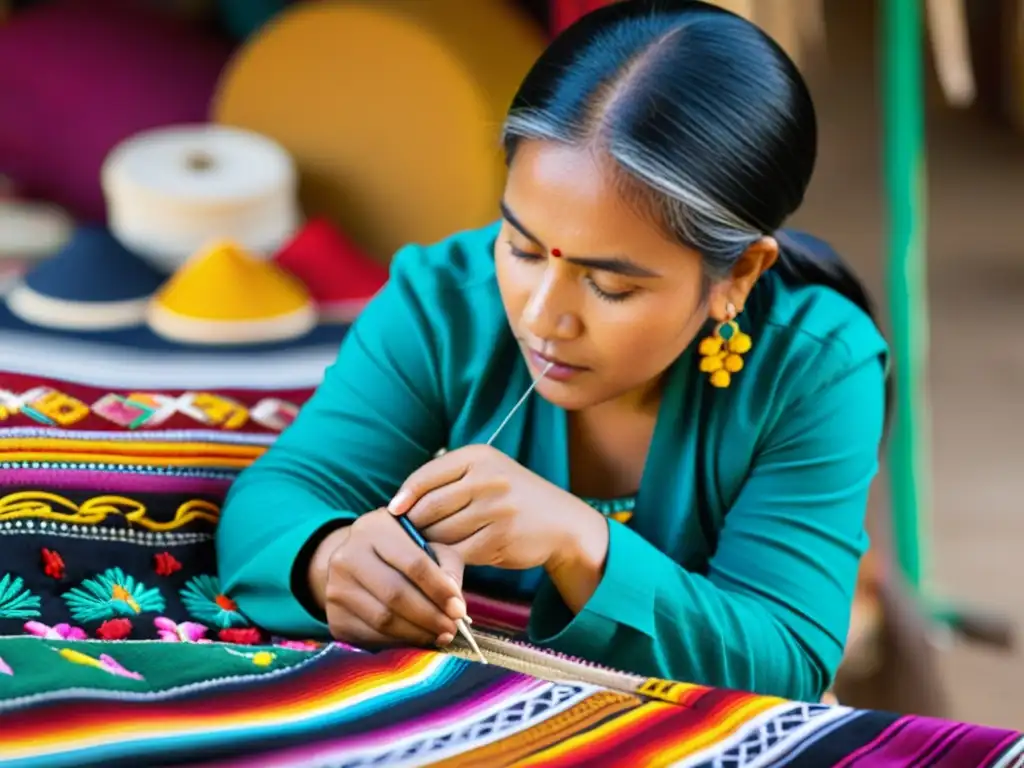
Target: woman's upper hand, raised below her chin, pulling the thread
494,511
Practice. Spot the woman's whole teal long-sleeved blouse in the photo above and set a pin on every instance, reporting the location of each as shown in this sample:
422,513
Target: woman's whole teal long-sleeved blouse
739,566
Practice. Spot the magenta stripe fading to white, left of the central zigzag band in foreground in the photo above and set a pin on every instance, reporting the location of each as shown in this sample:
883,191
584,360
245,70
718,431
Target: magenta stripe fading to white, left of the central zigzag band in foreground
447,717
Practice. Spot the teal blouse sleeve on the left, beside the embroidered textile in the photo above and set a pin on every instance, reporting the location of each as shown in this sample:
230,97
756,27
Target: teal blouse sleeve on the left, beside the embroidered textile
378,415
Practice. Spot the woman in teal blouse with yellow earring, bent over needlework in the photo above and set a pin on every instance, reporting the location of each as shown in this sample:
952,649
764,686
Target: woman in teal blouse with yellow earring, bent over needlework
654,152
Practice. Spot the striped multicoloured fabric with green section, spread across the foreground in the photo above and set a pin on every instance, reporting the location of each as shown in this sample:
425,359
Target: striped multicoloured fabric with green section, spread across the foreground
134,704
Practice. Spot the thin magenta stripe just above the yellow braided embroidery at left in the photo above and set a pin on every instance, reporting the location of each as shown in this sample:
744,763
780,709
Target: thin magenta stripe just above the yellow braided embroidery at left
110,483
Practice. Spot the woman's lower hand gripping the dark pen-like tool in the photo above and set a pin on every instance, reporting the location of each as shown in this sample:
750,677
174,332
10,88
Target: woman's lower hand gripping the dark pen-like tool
378,588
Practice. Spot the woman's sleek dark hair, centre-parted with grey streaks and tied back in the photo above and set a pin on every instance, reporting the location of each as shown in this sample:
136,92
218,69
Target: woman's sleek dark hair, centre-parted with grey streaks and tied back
709,120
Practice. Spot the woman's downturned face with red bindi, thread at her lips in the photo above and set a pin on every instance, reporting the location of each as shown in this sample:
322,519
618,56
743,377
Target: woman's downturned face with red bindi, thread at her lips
589,283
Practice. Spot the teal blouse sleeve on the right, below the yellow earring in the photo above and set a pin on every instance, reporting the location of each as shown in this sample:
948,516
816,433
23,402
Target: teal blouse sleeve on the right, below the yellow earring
772,614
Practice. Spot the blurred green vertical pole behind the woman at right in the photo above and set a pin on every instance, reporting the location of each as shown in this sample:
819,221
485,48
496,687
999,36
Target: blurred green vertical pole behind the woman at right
906,190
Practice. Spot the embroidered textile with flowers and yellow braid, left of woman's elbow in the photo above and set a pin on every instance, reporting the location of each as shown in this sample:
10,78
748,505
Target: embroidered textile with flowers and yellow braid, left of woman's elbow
109,502
